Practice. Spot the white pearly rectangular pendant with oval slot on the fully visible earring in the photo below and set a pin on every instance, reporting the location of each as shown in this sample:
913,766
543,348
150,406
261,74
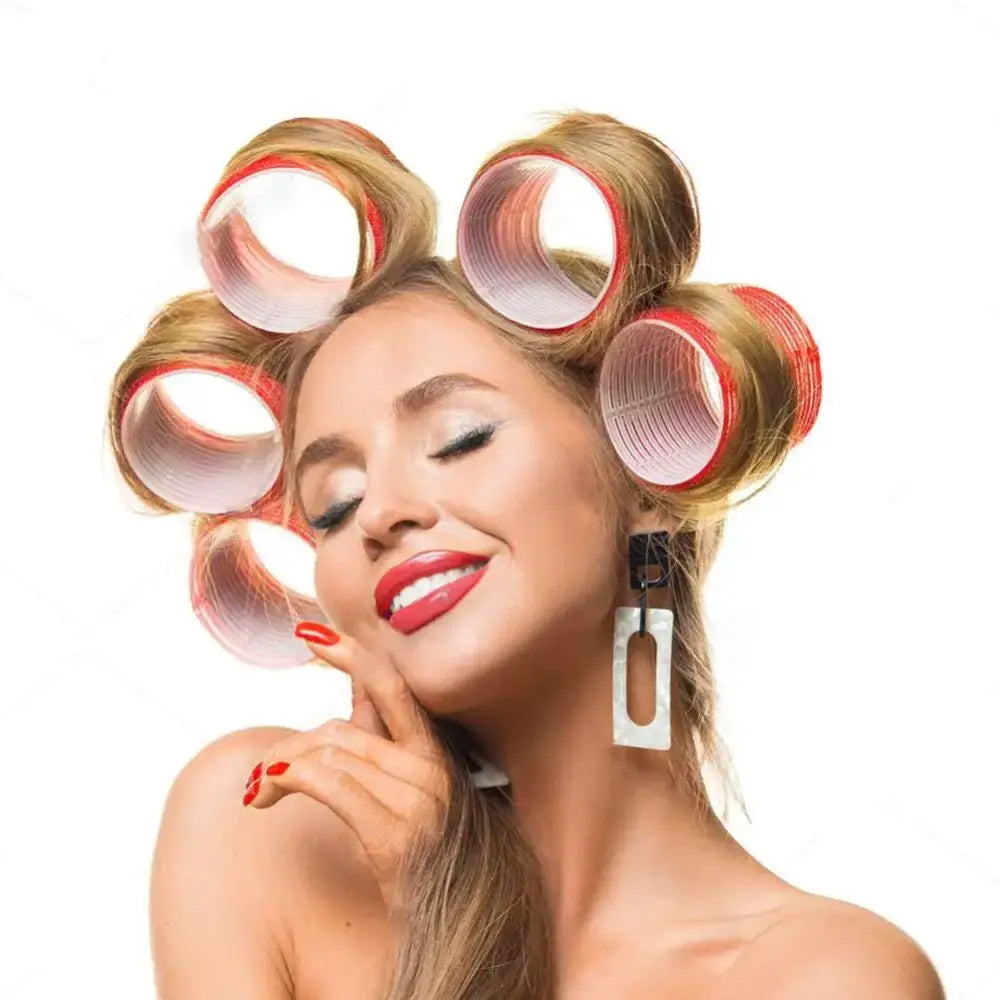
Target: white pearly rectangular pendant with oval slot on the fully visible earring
655,735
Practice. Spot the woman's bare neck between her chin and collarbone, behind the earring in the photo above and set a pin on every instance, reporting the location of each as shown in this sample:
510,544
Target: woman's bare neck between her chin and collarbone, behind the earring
621,840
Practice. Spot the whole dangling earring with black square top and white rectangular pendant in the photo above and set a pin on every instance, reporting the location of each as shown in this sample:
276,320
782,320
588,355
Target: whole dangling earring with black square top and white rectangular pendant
644,550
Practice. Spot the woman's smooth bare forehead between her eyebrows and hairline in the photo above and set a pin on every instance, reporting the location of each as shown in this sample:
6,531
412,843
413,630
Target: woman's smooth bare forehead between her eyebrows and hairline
375,354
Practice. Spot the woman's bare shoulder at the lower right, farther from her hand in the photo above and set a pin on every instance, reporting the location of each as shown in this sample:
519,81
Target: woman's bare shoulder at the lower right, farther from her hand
831,948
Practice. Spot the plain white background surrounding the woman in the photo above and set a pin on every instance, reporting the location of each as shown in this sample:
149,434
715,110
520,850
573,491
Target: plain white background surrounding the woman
845,155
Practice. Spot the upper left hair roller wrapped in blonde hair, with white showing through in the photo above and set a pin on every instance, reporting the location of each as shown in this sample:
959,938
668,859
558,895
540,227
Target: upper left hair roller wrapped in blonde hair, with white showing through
395,213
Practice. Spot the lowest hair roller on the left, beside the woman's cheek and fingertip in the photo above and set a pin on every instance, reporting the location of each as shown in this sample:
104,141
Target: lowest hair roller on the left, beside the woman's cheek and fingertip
238,600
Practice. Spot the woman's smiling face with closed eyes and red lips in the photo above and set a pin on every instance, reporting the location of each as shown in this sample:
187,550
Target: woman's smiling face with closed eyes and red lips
523,495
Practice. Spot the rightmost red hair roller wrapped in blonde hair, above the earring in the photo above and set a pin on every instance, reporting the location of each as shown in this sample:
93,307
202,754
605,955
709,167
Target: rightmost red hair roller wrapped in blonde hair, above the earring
684,389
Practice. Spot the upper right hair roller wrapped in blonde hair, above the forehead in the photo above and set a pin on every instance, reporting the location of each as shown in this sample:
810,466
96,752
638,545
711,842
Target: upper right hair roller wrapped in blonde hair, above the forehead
634,176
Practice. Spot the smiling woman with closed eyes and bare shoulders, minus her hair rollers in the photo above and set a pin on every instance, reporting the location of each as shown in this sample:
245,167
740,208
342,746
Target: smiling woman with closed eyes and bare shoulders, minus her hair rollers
425,434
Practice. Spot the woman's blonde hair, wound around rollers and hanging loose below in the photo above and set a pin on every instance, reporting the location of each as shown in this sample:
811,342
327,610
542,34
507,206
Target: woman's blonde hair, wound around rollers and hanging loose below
480,925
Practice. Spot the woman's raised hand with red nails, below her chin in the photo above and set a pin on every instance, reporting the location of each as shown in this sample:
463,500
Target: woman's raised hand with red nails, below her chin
384,771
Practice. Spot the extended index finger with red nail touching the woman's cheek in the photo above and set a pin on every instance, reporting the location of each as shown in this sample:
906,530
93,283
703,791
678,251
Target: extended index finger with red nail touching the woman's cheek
403,716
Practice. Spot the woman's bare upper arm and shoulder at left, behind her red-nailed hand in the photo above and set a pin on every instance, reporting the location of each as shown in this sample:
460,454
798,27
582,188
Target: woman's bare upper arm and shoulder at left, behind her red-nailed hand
215,931
